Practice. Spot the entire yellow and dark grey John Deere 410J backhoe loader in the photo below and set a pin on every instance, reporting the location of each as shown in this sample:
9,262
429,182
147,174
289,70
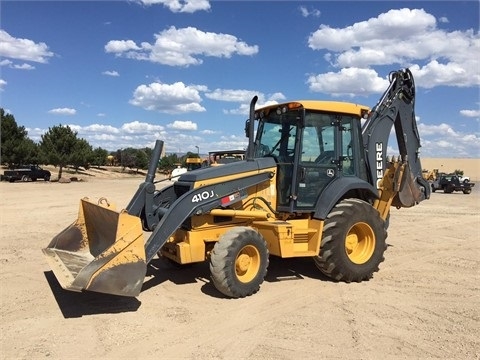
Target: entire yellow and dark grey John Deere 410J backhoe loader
315,183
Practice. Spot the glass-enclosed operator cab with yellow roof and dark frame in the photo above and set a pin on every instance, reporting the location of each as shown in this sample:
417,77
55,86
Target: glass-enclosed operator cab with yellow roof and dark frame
314,143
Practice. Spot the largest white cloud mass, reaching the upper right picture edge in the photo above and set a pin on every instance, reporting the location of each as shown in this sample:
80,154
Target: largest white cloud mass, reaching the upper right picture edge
404,37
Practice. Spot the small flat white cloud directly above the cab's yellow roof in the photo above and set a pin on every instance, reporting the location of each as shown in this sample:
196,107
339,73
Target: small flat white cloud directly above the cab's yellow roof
348,81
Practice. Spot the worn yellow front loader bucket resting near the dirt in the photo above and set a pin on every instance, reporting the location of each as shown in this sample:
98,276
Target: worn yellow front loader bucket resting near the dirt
102,251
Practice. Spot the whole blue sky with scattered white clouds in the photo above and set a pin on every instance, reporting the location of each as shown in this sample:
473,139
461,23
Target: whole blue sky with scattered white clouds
126,73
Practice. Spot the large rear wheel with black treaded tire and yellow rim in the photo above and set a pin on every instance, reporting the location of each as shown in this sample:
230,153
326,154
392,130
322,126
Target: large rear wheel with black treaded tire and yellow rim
353,242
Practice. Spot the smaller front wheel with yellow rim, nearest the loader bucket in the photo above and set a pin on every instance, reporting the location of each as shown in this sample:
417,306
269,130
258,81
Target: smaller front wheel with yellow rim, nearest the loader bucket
239,262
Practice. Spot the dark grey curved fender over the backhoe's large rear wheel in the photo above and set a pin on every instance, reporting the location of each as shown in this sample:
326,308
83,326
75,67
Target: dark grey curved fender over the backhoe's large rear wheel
336,189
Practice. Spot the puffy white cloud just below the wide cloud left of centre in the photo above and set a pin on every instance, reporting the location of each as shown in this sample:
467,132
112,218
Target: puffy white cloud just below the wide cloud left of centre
169,98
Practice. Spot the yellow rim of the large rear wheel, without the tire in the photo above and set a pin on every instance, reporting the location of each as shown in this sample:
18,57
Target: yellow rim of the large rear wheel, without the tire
360,243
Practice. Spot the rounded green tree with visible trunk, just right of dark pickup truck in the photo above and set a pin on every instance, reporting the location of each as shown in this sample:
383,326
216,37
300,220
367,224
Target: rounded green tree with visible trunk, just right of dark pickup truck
58,145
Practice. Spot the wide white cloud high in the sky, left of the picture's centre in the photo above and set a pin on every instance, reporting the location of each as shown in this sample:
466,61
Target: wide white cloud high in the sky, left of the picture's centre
181,47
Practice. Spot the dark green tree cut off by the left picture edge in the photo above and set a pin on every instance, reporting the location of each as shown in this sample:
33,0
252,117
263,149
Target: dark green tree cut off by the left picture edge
16,147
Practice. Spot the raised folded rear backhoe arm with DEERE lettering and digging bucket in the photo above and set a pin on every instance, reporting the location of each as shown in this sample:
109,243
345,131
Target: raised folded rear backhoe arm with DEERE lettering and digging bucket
405,185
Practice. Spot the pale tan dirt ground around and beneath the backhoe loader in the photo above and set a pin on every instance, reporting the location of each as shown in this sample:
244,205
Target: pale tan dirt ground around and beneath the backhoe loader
422,304
